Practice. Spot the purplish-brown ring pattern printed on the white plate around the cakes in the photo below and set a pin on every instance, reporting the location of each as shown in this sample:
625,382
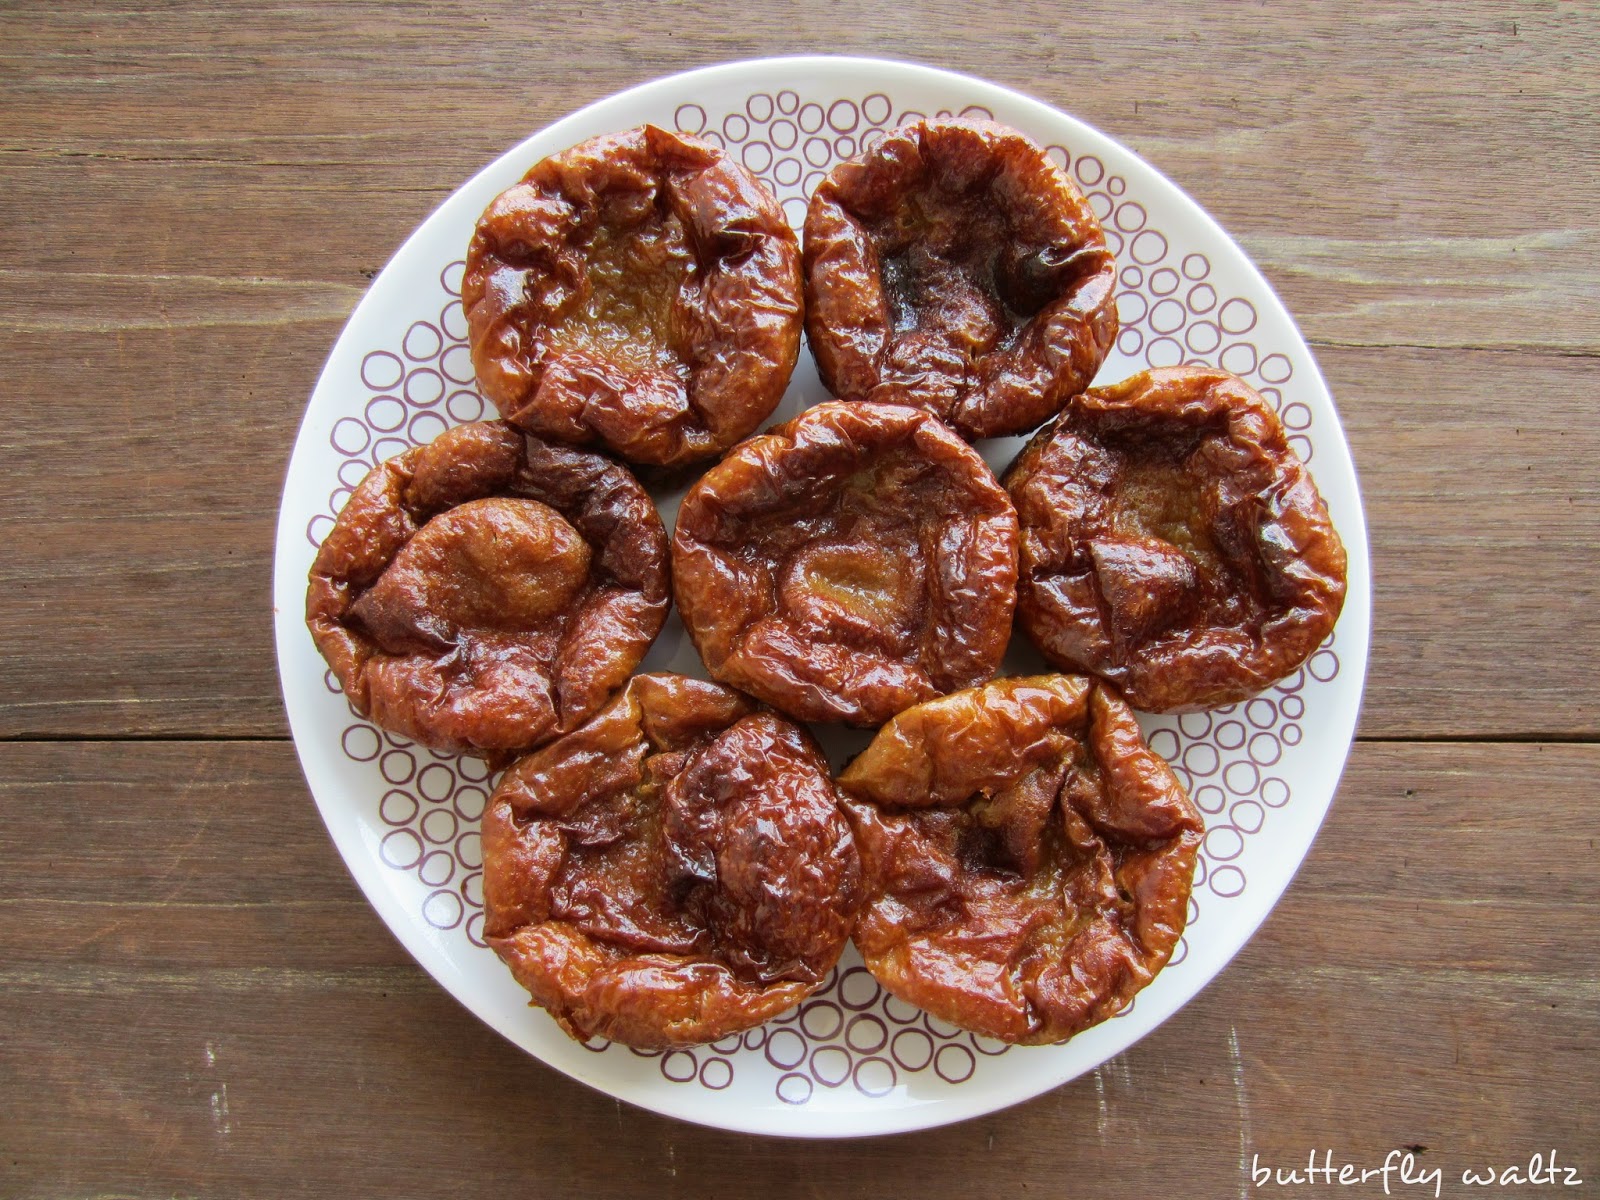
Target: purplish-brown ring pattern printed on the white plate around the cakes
434,391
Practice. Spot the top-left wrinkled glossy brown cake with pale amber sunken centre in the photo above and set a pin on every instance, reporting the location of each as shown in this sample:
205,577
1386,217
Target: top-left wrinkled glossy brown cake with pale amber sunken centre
641,292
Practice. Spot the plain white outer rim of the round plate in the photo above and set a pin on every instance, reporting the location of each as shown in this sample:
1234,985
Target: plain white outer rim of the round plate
961,1105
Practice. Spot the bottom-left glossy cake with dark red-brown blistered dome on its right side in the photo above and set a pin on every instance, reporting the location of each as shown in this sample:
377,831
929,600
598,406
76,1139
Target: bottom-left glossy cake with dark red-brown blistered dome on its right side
674,871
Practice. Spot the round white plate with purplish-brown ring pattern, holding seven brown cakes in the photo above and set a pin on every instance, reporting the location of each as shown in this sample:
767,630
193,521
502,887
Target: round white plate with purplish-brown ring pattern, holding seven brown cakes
850,1062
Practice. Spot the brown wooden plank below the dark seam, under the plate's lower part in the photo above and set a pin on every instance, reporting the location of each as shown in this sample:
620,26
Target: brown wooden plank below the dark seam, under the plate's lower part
201,1049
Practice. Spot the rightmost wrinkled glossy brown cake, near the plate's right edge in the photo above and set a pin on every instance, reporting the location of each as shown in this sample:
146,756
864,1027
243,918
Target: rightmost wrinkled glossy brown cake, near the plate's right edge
1174,543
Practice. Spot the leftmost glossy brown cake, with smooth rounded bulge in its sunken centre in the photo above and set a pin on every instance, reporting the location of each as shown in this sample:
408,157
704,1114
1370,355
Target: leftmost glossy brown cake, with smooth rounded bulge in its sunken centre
490,590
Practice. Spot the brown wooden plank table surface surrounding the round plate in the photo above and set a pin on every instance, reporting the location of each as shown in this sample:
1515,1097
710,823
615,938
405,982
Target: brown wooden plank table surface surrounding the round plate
196,998
